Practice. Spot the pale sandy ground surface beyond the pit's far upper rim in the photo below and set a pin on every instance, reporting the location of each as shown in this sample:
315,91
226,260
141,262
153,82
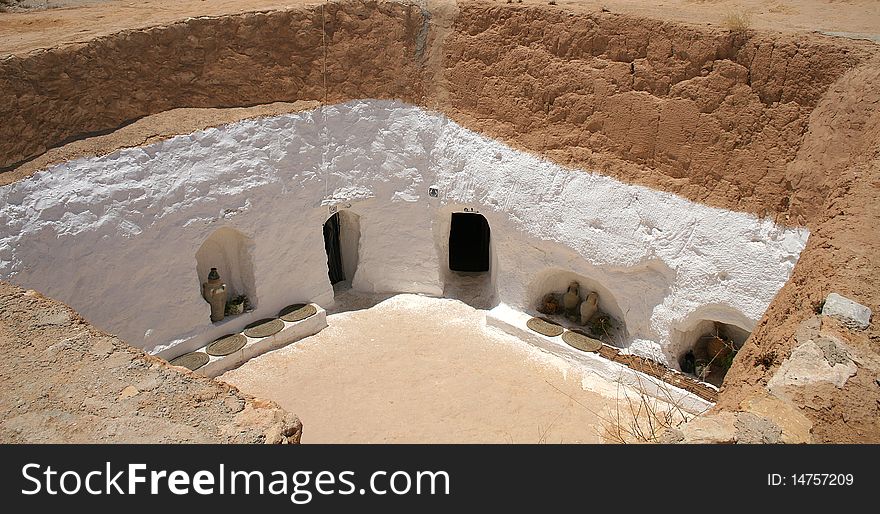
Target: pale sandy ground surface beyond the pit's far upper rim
69,21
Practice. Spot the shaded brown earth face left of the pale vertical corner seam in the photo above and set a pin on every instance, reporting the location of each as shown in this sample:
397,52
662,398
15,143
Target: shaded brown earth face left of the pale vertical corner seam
60,94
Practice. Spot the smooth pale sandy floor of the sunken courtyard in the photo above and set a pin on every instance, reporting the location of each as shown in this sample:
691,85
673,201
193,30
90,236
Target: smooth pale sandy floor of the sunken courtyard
399,373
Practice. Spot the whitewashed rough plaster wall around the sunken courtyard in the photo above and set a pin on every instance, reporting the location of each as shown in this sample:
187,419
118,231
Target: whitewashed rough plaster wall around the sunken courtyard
115,236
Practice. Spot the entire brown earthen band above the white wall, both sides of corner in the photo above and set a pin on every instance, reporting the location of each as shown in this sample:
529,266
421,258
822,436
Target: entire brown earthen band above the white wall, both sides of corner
710,115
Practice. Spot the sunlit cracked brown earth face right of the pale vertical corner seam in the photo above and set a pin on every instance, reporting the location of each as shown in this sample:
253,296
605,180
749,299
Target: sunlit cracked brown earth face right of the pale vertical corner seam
713,116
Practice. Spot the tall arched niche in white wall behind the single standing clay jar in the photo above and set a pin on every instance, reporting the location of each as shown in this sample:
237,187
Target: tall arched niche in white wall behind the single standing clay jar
229,251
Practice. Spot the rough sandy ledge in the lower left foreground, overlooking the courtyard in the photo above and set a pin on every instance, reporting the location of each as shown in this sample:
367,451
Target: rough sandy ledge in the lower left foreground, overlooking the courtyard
63,381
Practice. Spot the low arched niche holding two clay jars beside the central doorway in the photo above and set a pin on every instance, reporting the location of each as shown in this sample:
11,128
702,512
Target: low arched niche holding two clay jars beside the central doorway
556,281
